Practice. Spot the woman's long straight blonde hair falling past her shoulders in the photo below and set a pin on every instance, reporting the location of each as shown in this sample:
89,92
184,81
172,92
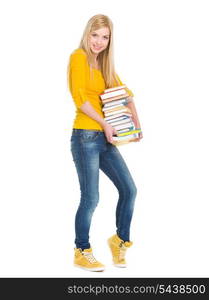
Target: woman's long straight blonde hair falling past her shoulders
106,57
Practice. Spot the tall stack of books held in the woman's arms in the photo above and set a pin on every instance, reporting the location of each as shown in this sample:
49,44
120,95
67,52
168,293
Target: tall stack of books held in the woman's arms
116,113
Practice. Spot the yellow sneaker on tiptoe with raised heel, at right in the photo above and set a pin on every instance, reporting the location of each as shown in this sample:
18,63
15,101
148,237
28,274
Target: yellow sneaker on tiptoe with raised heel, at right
118,248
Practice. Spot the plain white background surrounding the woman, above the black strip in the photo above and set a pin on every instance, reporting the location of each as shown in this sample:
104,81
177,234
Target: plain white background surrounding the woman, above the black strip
161,53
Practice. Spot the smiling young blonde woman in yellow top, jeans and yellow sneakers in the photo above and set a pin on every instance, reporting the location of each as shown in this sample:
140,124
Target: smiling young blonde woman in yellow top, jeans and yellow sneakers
90,72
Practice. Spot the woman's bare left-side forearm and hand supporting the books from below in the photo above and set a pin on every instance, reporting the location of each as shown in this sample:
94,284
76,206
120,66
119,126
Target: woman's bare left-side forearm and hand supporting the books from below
88,109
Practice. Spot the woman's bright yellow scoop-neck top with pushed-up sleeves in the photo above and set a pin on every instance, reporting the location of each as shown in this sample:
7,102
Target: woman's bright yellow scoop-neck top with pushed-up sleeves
83,89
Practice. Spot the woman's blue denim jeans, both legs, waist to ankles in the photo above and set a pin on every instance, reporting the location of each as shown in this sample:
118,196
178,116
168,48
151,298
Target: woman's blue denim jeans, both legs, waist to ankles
91,151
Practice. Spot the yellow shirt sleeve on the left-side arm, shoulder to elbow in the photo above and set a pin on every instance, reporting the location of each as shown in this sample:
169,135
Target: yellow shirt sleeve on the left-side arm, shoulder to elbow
77,78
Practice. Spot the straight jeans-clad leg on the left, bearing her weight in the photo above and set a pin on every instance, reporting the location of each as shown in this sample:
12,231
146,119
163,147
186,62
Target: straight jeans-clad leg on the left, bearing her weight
86,158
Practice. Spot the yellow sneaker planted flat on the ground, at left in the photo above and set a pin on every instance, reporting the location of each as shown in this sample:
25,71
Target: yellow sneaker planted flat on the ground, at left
85,260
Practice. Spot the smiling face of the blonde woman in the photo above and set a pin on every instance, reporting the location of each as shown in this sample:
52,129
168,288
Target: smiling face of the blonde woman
99,39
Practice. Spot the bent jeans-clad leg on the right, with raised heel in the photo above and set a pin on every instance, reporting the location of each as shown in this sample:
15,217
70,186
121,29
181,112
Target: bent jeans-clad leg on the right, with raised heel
114,166
